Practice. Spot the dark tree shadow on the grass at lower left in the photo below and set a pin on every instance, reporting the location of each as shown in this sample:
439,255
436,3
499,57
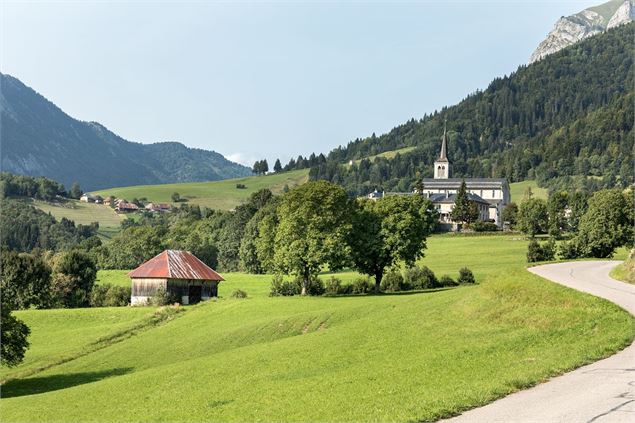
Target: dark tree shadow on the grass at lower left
42,384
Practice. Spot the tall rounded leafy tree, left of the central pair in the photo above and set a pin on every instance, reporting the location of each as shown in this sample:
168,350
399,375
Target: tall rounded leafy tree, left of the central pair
313,230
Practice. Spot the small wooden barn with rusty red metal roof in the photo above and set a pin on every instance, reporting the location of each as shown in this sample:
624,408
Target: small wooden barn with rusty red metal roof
178,272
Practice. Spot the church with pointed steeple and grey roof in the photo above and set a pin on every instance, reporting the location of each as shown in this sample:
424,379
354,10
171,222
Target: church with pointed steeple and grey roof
491,195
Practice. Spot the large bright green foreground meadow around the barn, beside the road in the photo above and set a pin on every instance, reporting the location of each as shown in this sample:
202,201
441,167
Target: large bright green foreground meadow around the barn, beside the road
400,357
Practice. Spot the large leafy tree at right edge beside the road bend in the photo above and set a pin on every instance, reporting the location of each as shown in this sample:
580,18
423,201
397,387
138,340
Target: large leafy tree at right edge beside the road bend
607,224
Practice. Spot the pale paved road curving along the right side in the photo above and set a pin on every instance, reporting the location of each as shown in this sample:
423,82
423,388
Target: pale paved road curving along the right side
600,392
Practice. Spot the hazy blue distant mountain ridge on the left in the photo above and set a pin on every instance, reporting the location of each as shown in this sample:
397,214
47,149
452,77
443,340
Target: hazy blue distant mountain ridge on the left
39,139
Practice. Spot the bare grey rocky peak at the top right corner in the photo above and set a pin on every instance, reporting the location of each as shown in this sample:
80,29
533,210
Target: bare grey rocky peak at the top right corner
571,29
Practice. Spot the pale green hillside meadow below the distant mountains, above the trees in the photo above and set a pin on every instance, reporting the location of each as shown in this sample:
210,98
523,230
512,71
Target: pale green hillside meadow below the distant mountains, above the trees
221,195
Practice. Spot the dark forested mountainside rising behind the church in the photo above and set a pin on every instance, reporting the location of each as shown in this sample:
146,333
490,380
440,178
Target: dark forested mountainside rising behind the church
565,121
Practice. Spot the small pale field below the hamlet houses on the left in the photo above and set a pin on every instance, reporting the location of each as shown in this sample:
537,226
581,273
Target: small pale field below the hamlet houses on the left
84,213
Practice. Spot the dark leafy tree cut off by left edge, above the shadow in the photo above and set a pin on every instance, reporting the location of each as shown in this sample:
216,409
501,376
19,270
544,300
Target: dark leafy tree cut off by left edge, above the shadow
13,337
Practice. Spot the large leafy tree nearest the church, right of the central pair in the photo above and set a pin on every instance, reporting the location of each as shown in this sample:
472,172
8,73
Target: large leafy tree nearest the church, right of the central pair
390,230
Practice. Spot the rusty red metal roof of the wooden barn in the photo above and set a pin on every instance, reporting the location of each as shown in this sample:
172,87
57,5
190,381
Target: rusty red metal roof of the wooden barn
174,264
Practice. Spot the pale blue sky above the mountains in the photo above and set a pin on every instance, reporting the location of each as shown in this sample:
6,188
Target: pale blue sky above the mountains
273,79
